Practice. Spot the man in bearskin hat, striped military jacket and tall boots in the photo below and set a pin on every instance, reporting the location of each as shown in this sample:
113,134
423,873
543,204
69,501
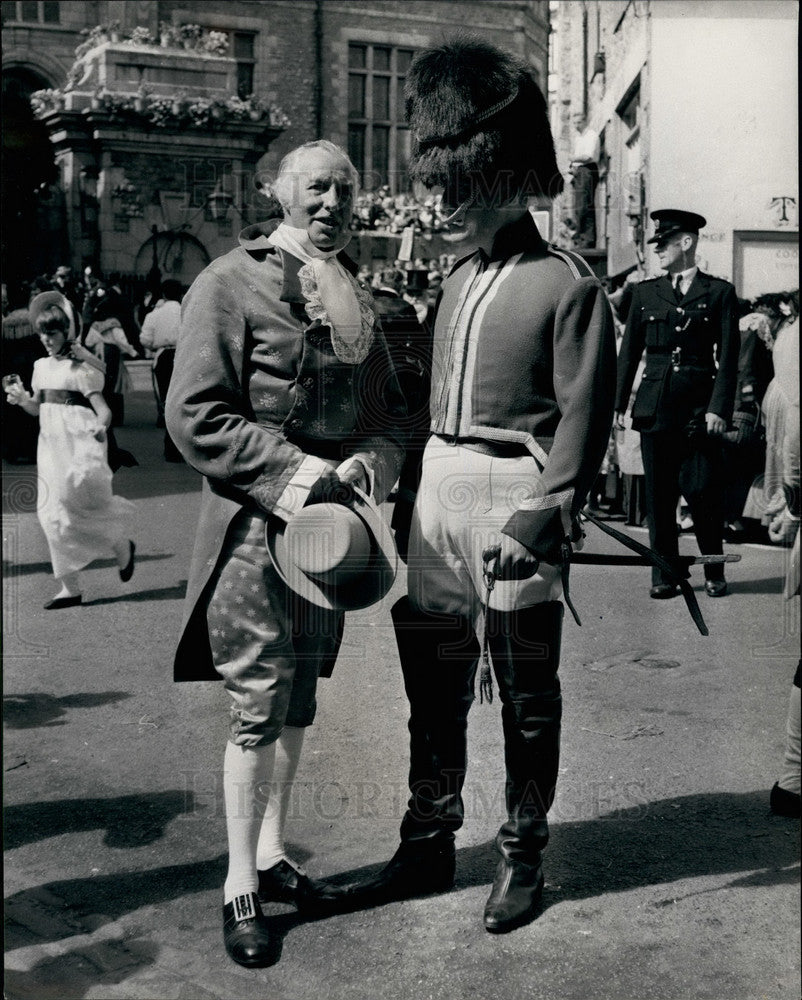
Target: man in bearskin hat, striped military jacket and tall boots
521,408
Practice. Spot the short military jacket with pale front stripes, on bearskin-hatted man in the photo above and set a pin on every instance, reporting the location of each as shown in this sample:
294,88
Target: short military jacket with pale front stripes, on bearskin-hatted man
524,354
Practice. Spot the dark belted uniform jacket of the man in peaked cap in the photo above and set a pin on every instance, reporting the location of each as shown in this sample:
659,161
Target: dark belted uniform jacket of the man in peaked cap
691,354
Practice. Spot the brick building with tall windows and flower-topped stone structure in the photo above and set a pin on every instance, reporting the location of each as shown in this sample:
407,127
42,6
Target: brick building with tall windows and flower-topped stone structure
127,190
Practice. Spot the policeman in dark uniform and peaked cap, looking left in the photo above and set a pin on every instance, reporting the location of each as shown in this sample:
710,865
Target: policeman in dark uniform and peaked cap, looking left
687,321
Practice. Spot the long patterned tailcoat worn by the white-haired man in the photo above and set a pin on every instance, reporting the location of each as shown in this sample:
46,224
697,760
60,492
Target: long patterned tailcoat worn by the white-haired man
256,388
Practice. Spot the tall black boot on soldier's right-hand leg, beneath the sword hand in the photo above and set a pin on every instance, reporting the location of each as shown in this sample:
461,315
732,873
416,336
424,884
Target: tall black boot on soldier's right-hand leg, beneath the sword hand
525,649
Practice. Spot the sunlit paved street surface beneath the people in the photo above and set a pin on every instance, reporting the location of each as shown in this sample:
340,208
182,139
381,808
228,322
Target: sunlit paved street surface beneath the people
666,878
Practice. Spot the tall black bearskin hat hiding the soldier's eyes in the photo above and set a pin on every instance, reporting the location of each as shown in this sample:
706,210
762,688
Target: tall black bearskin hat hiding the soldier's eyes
479,123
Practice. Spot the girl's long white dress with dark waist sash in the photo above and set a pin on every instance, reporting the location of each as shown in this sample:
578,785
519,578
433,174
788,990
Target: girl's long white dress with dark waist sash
80,516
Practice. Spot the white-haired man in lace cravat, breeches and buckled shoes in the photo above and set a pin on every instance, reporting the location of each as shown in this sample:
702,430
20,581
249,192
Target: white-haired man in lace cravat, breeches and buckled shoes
283,396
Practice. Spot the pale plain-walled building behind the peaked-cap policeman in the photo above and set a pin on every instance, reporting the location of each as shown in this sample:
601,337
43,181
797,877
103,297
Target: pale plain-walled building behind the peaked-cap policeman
695,105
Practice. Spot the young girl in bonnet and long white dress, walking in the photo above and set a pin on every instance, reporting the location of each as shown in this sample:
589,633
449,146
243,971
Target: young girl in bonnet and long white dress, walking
81,518
